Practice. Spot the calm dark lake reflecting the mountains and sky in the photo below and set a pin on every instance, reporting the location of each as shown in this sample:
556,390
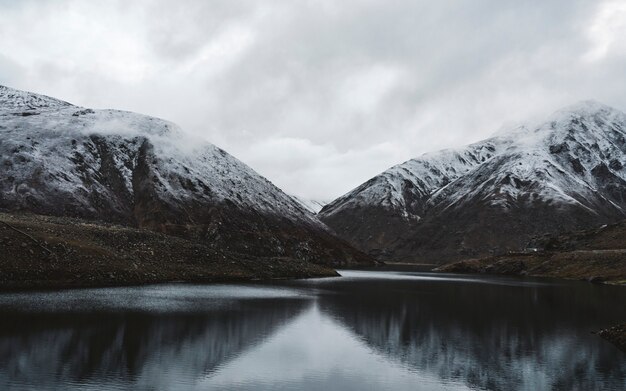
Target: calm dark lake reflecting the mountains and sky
364,331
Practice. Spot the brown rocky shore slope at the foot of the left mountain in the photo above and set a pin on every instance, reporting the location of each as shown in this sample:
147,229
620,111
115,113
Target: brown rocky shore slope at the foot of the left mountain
41,252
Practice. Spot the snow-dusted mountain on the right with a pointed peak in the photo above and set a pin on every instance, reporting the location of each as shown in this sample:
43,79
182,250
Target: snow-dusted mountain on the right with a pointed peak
561,174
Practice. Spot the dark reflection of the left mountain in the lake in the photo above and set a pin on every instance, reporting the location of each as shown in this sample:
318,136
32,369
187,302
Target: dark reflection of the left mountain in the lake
134,349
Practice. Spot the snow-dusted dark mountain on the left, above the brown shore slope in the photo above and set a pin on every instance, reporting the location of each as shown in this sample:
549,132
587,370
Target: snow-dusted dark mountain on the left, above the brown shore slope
116,166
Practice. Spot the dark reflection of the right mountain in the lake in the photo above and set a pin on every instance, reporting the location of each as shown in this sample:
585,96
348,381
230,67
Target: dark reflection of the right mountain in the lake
497,336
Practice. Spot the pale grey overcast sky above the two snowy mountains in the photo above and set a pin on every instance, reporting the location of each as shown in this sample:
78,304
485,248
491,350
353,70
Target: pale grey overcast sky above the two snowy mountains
319,96
